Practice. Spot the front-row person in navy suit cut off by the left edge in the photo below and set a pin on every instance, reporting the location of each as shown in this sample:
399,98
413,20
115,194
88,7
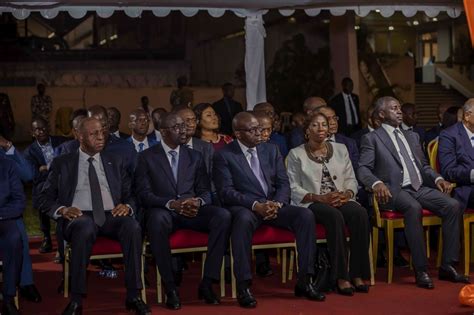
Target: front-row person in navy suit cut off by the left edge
12,204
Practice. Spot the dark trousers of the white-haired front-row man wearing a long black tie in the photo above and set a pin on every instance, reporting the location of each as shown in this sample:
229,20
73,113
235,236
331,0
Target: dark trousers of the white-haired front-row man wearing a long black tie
82,233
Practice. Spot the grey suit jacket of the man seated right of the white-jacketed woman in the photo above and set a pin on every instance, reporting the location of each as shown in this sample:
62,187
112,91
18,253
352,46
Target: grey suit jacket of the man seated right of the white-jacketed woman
379,160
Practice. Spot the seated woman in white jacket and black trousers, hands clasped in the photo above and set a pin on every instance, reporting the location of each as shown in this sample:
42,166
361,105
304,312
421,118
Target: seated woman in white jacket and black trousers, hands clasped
322,179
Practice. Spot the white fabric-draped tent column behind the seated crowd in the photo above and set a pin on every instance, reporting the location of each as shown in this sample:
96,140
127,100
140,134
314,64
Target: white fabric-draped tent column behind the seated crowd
255,60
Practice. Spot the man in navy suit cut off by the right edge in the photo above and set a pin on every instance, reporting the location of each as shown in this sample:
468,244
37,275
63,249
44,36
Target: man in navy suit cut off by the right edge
456,156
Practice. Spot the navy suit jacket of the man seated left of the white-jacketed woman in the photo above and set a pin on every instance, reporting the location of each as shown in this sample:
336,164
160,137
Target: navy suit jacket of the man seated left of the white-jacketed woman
237,185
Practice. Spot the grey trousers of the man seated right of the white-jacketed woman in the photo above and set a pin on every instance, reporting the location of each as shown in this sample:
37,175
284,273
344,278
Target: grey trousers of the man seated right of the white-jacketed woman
410,203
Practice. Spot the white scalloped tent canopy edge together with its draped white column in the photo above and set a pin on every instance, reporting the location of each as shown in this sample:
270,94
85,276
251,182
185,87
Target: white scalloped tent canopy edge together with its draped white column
251,10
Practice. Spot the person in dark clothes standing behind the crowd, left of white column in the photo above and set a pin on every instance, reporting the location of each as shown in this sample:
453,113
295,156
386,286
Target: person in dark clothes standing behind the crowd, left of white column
226,108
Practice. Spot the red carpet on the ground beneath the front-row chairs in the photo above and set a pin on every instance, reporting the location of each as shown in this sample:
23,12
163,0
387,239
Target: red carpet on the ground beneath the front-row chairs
106,296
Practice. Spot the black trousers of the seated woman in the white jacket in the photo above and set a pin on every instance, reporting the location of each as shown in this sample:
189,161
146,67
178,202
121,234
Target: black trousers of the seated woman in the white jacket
334,220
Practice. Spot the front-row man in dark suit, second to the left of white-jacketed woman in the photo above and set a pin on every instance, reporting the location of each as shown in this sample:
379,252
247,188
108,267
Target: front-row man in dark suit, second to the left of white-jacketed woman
174,187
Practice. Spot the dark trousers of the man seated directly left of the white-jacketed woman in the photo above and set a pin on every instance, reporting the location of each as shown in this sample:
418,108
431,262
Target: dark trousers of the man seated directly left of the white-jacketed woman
296,219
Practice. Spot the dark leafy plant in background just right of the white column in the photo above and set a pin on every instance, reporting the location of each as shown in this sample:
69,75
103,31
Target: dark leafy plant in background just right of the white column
297,73
